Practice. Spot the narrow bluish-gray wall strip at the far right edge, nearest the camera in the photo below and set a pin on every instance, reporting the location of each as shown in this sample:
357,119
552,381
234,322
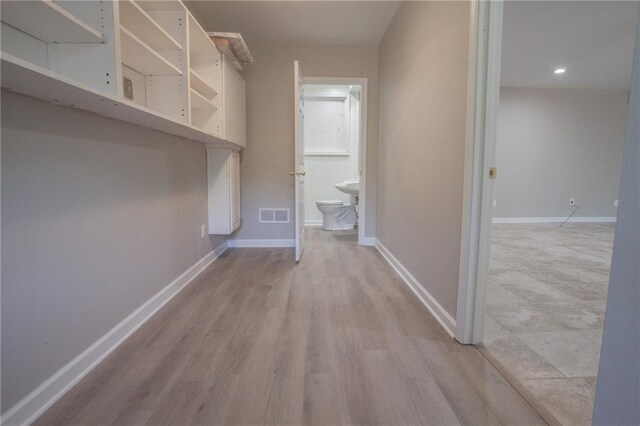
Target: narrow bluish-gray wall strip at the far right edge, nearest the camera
618,389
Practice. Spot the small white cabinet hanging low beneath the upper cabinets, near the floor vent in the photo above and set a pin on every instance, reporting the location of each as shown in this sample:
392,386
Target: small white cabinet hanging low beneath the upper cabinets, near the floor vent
223,173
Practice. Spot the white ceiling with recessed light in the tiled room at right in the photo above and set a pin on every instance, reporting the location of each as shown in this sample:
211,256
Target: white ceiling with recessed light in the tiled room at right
593,40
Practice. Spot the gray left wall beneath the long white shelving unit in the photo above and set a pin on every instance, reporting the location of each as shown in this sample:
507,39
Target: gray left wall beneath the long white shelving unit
97,216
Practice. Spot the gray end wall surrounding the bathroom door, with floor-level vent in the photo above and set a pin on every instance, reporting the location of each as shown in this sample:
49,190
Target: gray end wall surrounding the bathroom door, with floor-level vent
268,158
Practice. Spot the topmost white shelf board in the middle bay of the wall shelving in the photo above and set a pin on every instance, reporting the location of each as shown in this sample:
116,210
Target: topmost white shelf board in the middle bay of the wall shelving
137,21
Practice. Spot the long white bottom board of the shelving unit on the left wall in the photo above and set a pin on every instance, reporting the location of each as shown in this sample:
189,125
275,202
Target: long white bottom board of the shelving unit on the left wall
19,76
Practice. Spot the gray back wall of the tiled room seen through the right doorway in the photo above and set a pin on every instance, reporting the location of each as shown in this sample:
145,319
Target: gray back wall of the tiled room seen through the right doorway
557,144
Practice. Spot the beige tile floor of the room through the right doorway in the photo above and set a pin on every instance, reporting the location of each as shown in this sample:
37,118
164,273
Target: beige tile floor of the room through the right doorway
545,309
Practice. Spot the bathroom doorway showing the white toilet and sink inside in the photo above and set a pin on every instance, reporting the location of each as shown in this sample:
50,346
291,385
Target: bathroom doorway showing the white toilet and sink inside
333,141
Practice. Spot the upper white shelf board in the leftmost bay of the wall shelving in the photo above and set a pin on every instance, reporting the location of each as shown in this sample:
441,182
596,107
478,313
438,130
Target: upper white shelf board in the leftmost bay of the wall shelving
46,21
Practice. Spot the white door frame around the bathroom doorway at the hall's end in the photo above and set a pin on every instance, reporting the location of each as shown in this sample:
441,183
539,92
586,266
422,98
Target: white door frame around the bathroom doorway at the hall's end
362,143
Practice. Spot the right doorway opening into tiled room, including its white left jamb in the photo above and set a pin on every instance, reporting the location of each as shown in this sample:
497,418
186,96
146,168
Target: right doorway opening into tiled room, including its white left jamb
538,239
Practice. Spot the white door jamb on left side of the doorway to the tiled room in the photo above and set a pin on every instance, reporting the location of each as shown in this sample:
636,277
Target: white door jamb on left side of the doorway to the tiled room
483,91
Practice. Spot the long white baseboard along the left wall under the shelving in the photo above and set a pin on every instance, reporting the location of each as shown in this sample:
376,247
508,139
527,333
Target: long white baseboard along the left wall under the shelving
44,396
